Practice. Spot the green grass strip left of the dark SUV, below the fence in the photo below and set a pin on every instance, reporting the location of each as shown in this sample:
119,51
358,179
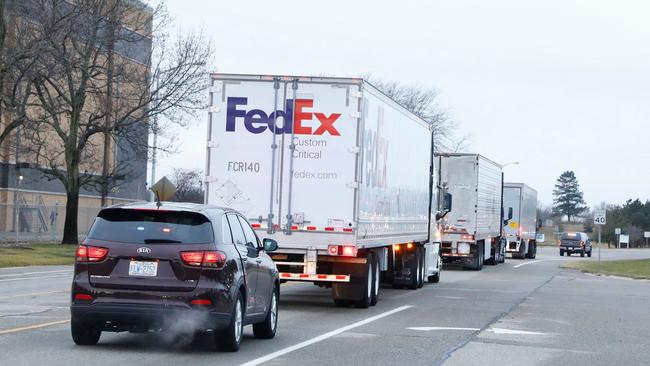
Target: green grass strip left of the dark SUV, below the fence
36,255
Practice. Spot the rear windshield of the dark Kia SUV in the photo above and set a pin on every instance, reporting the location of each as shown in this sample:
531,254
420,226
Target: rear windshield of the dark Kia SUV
152,227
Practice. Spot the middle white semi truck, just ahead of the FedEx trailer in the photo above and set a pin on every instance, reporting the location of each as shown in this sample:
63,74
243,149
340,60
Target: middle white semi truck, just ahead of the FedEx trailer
471,232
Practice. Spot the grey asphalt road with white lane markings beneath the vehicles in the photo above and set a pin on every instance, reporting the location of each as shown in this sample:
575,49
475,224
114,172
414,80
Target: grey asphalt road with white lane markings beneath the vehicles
522,312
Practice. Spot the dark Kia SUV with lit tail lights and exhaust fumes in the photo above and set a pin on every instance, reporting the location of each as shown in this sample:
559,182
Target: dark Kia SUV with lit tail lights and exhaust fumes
145,268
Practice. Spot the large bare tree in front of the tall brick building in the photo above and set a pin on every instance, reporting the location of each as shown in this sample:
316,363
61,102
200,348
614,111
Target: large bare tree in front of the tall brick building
108,69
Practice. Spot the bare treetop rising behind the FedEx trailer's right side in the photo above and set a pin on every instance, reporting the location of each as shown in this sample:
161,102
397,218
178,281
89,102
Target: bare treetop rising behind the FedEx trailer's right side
423,102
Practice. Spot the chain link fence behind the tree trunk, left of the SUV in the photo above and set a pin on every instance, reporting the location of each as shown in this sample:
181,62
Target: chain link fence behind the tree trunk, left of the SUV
34,222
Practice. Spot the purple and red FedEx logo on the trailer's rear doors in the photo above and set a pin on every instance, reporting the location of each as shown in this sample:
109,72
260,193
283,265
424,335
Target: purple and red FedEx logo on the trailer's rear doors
302,121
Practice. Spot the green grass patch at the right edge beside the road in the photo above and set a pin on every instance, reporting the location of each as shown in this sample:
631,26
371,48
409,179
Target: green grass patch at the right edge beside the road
633,268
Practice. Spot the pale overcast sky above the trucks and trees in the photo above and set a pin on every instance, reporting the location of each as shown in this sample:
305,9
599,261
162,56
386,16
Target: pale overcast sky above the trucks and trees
555,85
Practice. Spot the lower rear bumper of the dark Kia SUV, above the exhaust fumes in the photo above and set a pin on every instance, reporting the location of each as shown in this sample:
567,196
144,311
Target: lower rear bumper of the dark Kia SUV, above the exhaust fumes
141,318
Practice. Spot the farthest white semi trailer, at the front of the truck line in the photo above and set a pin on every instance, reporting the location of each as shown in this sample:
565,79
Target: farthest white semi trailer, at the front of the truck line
521,229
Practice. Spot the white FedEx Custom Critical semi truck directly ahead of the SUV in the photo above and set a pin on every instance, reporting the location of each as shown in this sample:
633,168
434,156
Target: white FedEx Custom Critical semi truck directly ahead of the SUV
340,175
